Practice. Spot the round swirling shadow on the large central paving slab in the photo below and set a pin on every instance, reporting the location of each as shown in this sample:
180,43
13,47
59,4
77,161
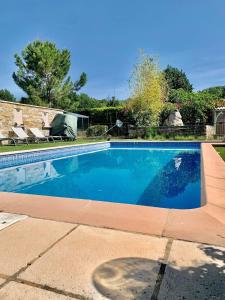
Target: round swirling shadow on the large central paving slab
126,278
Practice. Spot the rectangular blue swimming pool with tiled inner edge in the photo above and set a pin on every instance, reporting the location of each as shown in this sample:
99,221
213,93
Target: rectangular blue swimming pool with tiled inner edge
161,174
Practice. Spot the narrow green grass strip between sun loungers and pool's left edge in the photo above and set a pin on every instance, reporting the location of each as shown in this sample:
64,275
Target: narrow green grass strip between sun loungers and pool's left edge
9,148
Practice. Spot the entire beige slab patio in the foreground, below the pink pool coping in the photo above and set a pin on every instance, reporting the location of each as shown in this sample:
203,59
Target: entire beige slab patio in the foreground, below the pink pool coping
42,259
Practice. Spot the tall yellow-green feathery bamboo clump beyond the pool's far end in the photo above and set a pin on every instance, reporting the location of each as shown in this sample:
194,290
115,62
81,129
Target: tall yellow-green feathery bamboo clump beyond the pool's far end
148,91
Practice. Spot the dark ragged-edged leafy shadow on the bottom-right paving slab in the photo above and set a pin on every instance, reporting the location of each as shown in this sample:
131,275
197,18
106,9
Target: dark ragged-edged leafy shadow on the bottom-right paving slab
204,279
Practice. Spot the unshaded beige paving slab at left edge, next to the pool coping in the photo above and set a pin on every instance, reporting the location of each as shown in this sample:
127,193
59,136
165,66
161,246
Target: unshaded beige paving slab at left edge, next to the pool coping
25,240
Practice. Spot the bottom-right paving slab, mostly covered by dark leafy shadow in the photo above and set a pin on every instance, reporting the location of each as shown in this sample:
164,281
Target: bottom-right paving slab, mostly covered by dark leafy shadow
195,271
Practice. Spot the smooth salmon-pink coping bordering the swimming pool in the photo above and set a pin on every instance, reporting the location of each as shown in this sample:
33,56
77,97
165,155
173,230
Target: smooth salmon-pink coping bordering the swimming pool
205,224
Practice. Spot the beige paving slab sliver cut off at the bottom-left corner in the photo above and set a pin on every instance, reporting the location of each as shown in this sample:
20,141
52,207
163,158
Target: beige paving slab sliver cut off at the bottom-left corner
18,291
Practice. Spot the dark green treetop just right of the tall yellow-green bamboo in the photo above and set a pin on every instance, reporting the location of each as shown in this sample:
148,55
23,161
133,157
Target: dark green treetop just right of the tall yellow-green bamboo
177,79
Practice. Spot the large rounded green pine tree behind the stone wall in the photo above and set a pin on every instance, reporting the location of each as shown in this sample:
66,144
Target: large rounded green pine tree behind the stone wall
43,75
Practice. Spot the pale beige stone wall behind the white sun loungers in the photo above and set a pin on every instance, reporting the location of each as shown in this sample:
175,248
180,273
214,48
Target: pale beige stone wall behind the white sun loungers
26,116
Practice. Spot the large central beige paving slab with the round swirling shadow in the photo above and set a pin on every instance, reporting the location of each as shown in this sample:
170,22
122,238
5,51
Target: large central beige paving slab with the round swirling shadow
101,264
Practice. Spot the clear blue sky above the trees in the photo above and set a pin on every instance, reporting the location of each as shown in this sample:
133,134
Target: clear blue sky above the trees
104,37
